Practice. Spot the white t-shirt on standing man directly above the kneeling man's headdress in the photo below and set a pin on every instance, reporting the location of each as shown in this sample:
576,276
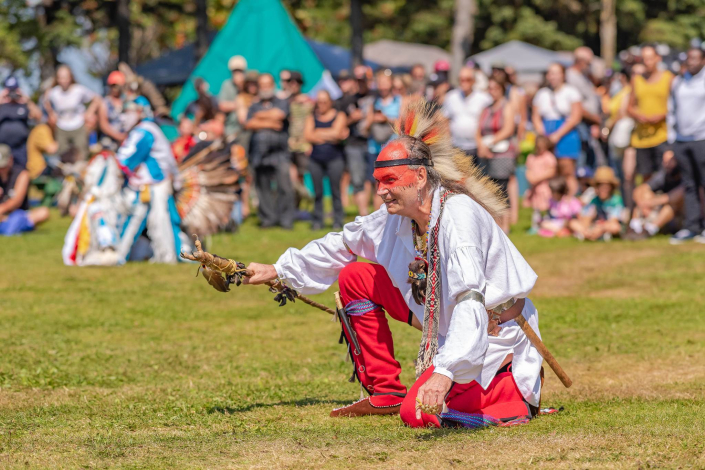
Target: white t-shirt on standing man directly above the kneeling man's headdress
464,114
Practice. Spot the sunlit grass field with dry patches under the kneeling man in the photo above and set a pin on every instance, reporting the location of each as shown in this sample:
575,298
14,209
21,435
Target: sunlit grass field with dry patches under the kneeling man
144,366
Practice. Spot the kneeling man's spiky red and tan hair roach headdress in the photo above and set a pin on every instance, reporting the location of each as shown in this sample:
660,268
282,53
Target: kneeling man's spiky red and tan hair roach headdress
426,136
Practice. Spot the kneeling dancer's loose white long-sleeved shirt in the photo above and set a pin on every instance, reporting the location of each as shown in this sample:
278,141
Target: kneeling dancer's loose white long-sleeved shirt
475,255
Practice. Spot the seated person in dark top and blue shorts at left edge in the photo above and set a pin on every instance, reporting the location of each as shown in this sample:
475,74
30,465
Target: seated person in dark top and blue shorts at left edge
15,216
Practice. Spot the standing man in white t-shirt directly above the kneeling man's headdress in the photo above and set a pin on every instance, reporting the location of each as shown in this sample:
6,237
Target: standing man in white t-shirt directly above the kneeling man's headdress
463,107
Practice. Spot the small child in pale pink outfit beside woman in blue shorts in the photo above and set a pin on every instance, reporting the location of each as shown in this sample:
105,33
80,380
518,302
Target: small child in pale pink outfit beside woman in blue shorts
540,169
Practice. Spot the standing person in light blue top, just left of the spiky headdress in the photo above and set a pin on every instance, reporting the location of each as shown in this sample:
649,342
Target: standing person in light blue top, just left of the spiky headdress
383,112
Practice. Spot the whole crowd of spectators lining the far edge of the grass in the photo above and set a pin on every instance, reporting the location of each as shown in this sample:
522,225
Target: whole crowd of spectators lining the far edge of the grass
616,154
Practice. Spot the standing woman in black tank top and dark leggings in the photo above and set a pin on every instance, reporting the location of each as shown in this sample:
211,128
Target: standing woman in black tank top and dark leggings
355,102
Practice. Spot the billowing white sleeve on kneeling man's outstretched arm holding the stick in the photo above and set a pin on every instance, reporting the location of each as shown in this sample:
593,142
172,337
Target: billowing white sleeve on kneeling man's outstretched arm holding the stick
315,267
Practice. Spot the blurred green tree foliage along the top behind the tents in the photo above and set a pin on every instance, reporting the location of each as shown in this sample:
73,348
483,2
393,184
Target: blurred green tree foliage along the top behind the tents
158,24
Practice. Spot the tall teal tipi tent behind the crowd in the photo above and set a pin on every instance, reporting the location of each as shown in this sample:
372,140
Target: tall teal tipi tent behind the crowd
263,33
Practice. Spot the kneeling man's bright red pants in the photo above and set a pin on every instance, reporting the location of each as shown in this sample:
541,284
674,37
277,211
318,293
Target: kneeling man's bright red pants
378,371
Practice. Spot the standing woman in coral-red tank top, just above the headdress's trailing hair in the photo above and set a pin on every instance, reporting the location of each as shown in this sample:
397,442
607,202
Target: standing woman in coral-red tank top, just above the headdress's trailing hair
496,147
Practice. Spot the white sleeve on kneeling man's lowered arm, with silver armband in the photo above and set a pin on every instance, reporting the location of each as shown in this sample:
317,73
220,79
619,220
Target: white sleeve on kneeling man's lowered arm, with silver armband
463,354
